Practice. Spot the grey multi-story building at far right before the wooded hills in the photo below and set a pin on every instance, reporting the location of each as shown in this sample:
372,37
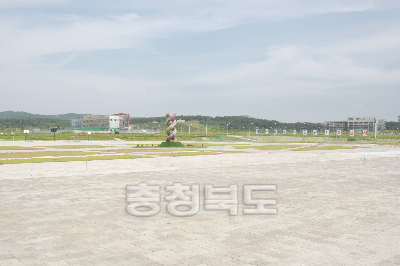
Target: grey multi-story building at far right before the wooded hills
357,123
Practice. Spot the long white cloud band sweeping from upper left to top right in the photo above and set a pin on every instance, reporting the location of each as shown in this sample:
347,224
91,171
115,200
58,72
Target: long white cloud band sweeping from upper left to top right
21,38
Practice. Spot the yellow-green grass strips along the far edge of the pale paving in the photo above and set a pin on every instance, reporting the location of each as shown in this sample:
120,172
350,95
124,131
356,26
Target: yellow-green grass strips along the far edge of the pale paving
131,153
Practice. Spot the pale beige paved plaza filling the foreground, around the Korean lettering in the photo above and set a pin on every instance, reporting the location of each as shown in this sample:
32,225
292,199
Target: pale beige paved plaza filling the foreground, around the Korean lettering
332,210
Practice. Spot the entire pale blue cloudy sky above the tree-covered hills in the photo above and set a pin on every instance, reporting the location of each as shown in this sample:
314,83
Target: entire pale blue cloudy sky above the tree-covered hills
285,60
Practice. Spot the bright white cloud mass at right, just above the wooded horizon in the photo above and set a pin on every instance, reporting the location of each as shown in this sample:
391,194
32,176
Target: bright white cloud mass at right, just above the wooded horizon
294,69
